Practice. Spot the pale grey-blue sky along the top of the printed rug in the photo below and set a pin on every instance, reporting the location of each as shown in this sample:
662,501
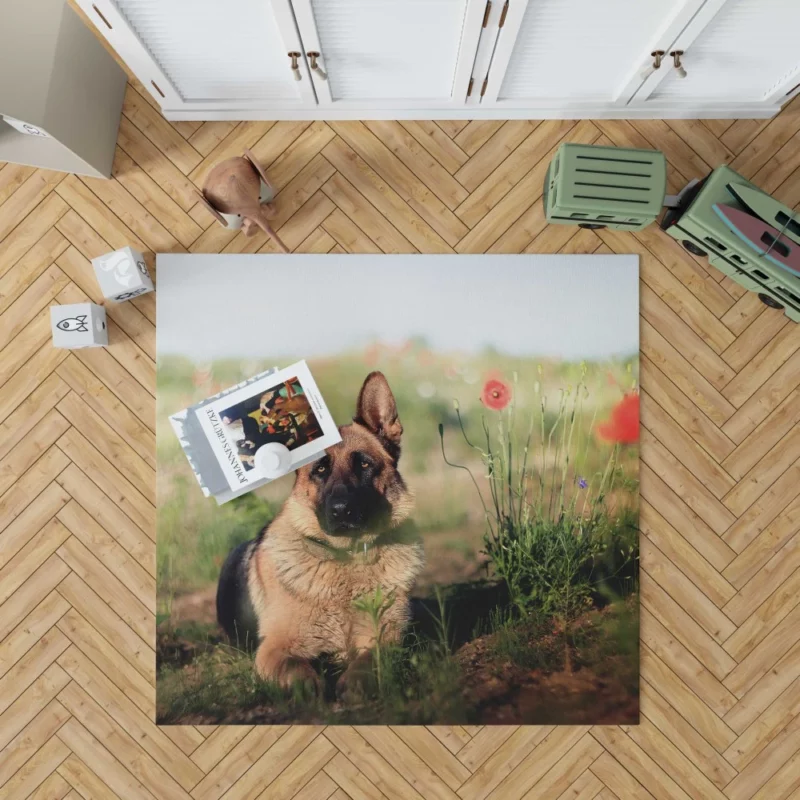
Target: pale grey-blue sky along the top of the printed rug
306,306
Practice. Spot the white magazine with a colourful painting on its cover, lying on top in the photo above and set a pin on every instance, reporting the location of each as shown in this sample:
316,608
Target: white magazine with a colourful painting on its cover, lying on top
285,407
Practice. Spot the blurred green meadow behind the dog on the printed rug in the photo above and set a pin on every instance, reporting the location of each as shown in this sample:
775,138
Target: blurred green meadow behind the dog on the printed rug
195,535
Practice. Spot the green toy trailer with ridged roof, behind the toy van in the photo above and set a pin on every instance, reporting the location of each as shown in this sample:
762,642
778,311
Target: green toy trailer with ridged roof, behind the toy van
598,187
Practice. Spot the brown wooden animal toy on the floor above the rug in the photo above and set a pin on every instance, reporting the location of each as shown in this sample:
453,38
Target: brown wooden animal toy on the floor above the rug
237,193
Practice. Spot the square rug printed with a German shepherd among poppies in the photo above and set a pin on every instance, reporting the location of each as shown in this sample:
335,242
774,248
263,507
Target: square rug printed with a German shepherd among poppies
466,554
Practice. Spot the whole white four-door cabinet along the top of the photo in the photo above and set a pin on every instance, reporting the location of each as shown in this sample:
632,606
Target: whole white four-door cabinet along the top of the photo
248,59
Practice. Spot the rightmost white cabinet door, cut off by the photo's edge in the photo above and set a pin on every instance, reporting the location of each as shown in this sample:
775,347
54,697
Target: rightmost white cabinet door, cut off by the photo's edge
735,51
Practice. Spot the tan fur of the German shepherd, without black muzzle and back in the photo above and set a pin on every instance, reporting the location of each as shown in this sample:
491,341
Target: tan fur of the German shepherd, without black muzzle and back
301,589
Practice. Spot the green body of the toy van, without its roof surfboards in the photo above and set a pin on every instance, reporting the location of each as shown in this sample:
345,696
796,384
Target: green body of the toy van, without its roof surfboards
700,230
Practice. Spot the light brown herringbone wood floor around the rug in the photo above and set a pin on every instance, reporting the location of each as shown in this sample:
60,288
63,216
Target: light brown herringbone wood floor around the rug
720,478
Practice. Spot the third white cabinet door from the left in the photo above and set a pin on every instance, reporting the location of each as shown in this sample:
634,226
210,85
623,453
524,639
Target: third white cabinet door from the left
562,54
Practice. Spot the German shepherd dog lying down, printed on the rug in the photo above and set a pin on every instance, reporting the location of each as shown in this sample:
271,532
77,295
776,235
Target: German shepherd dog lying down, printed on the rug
342,533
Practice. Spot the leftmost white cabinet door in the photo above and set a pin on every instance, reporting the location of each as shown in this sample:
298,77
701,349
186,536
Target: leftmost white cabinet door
208,54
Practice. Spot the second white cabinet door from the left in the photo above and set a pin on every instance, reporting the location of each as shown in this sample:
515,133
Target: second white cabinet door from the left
390,53
